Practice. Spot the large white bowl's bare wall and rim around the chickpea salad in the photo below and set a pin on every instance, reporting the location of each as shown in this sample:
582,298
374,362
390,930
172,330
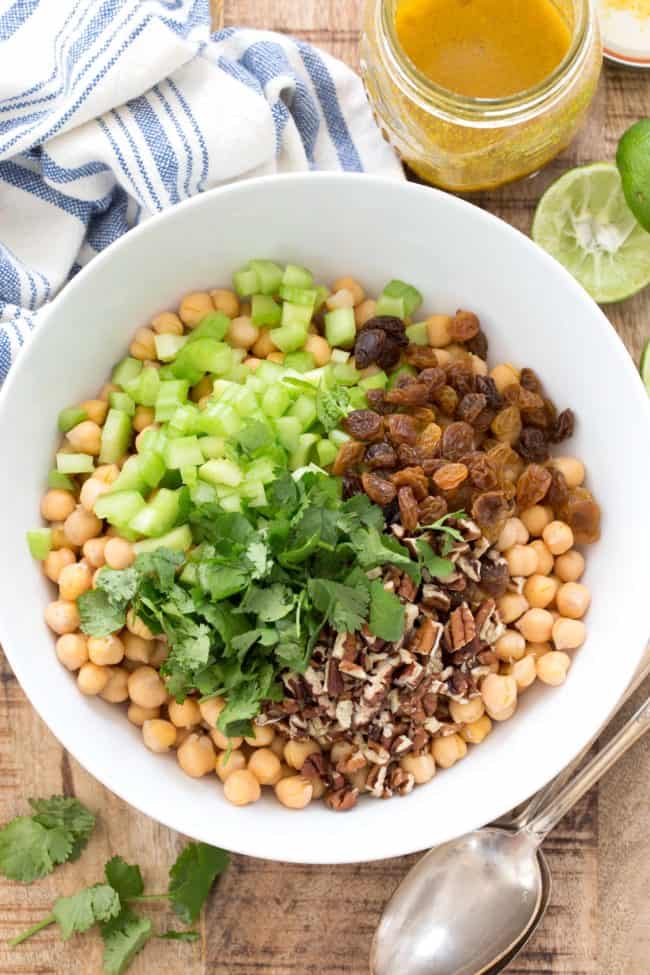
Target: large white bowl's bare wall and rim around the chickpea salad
459,256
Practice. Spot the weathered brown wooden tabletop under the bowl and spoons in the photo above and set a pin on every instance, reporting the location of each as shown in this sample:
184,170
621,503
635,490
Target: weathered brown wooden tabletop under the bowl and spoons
278,919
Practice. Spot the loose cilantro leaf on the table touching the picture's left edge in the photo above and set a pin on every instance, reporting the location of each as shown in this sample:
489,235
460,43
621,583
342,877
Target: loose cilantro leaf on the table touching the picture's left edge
31,846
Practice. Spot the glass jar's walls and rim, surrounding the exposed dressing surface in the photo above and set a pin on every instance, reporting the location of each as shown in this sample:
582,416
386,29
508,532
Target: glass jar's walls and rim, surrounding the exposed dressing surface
463,143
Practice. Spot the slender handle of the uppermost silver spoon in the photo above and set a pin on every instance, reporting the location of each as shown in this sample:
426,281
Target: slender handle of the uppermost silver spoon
542,824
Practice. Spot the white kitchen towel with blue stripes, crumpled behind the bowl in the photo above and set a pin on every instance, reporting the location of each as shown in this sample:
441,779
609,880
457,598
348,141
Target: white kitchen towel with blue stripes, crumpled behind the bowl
111,110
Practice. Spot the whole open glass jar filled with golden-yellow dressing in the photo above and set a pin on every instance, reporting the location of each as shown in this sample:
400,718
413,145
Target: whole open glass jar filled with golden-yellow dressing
445,77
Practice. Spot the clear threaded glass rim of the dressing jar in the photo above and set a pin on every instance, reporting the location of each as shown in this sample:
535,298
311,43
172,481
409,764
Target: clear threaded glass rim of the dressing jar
490,111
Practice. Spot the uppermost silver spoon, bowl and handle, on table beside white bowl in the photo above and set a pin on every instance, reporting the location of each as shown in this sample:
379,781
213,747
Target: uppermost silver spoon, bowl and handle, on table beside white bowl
469,905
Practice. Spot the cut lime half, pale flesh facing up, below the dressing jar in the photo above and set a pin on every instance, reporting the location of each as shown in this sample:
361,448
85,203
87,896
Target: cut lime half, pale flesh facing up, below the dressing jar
584,221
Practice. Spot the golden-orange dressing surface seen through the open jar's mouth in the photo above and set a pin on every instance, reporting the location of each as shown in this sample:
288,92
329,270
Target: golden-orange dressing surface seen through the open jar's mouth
483,48
